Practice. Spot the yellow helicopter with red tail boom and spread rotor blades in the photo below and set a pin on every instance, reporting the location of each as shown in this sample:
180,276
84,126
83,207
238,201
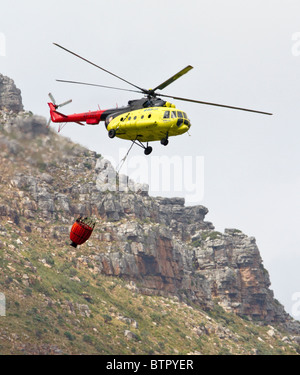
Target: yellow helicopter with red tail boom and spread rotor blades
143,120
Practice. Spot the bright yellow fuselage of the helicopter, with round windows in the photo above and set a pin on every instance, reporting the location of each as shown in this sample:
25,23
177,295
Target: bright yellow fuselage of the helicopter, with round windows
149,124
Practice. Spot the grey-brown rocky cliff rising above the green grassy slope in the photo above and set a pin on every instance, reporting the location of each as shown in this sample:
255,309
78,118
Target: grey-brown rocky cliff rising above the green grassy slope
158,244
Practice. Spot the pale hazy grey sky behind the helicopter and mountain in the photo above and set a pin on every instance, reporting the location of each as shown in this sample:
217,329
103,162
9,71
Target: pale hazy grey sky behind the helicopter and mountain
243,166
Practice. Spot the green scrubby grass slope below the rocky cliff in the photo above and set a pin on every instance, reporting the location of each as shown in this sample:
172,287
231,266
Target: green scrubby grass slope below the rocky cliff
64,305
